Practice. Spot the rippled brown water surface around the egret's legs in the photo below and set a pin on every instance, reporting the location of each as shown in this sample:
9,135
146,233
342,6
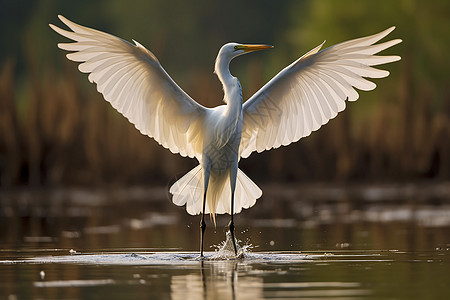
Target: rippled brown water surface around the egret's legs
335,243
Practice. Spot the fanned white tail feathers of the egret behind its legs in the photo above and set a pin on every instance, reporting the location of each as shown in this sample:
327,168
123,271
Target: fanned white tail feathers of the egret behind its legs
188,191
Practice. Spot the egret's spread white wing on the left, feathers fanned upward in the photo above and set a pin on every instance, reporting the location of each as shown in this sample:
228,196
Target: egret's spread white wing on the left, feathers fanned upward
131,78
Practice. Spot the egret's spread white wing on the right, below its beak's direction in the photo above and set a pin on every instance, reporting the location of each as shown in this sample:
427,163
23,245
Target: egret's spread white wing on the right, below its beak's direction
311,91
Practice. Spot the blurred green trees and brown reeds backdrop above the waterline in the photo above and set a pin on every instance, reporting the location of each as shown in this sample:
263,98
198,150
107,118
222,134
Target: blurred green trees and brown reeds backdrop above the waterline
55,129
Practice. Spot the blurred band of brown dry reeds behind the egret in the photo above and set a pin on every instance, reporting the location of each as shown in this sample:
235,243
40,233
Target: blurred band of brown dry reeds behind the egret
64,133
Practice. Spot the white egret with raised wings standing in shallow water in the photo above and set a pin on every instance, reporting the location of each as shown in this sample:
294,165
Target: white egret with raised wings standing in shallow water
298,100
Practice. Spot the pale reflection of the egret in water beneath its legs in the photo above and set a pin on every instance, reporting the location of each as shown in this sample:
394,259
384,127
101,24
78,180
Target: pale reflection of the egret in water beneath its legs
230,279
